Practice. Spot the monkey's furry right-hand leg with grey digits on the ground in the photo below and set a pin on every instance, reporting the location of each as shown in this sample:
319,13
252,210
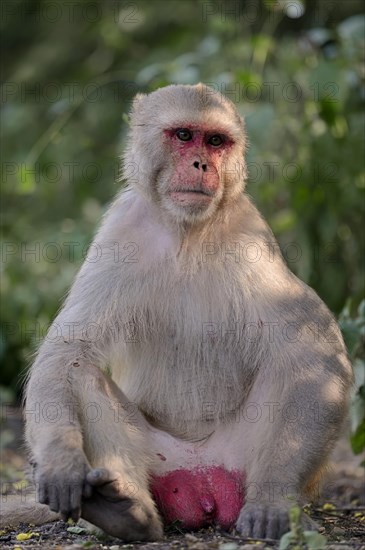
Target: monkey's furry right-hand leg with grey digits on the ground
288,445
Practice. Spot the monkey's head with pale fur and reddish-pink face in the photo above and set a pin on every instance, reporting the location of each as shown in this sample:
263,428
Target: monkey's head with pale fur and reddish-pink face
186,151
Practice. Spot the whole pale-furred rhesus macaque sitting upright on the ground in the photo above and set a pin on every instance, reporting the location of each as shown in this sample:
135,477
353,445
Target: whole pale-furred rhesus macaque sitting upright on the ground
190,375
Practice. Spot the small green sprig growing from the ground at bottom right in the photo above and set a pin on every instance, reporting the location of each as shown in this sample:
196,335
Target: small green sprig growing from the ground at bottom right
297,539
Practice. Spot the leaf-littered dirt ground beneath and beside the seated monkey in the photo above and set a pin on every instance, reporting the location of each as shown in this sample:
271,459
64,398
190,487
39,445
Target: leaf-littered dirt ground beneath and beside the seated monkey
340,512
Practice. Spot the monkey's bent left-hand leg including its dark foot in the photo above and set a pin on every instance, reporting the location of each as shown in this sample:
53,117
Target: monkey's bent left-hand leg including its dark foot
115,439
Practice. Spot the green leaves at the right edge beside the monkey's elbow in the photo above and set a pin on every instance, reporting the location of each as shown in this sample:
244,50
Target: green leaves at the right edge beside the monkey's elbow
353,330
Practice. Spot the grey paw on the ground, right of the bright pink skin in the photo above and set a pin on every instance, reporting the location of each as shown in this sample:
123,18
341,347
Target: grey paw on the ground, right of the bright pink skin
269,521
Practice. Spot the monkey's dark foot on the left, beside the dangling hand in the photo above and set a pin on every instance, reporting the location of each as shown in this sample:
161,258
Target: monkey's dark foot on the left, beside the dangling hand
119,508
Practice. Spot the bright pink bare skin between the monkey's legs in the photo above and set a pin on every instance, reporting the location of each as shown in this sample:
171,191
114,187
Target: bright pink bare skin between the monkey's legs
200,497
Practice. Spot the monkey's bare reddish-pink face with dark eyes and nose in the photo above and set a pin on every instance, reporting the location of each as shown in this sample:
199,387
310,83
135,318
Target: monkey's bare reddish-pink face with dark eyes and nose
197,153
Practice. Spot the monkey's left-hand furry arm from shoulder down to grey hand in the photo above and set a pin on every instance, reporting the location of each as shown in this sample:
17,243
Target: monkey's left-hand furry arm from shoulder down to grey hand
79,336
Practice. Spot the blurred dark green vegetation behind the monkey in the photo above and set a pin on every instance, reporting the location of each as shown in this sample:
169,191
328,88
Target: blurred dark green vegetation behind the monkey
295,70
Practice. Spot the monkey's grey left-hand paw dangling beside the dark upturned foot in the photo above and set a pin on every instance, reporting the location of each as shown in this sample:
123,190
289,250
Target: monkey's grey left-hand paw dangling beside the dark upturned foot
62,483
